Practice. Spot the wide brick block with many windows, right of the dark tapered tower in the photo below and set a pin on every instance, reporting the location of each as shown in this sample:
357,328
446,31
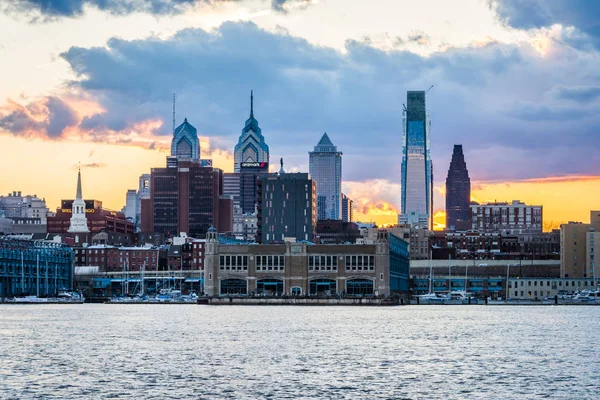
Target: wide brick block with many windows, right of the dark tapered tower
506,218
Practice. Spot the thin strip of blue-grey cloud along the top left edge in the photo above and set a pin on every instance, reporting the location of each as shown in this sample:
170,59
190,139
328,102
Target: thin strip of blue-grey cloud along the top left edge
52,9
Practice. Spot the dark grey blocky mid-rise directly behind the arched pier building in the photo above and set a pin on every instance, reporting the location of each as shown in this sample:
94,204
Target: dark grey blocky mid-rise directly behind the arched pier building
286,208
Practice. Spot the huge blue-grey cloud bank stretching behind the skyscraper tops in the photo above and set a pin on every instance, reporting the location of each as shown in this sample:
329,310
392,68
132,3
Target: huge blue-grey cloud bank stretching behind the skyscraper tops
492,99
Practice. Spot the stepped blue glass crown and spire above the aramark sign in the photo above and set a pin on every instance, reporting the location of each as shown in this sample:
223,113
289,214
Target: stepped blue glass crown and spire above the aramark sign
251,147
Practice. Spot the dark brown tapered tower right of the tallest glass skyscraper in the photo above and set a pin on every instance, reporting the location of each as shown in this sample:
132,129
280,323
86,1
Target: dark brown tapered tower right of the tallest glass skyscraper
458,192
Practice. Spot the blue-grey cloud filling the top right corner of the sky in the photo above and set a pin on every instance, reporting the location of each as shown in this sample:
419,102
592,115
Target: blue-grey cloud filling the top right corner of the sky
527,14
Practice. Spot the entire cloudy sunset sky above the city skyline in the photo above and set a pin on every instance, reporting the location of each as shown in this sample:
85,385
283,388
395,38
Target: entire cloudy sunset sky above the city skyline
516,82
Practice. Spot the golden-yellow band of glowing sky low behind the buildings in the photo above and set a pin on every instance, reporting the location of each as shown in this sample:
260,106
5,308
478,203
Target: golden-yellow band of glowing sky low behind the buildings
48,168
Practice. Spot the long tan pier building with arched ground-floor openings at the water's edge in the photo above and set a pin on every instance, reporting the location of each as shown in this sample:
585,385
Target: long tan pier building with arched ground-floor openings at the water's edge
305,269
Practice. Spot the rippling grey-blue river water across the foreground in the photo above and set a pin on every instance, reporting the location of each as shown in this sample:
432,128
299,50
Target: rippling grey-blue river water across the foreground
98,351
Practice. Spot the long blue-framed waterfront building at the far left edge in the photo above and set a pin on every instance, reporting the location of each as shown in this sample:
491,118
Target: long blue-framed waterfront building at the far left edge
34,267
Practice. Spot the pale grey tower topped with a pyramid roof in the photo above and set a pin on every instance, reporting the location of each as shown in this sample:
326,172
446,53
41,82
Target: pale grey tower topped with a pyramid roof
325,167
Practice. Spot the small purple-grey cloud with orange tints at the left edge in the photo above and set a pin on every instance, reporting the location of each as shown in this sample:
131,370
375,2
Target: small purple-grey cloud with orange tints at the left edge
47,117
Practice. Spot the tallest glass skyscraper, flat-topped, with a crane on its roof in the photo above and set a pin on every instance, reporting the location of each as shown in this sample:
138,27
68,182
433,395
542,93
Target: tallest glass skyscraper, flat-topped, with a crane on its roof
417,169
